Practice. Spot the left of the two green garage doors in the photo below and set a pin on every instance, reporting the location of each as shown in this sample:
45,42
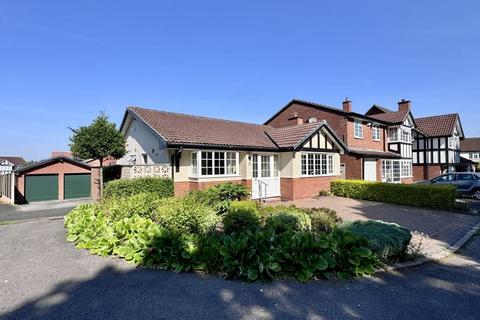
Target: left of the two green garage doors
41,187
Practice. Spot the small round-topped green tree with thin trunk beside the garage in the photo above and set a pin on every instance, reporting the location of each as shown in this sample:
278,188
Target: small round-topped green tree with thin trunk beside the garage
97,141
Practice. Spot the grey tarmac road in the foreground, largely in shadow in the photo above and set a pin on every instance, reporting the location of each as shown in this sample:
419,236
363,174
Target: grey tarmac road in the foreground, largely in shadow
44,277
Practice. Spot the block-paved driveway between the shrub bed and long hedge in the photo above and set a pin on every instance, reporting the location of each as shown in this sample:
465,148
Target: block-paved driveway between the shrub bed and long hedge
444,226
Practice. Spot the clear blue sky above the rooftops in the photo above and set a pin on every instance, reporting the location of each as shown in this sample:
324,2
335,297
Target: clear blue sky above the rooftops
61,62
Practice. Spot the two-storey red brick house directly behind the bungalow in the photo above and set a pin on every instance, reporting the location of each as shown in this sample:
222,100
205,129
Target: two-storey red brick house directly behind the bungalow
371,153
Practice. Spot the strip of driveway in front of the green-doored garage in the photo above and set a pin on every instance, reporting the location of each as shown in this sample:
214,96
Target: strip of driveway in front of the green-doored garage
37,210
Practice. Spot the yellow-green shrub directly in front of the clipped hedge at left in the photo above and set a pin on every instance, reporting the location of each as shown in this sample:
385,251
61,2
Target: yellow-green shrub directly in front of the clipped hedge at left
142,204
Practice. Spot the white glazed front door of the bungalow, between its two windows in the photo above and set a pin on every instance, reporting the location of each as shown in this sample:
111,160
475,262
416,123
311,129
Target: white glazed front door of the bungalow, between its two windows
265,177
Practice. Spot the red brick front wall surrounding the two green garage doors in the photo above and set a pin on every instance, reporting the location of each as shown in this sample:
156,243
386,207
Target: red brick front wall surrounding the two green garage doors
55,168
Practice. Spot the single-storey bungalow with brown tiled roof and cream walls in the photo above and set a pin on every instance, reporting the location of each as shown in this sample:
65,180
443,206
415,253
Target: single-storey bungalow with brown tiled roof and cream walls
288,162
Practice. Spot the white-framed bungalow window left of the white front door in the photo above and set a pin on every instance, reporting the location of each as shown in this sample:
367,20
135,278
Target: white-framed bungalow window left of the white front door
214,163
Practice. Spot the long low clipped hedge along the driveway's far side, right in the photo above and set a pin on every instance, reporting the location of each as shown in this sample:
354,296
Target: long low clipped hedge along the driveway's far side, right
418,195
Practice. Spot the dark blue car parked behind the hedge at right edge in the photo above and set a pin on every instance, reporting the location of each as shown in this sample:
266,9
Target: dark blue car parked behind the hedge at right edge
467,183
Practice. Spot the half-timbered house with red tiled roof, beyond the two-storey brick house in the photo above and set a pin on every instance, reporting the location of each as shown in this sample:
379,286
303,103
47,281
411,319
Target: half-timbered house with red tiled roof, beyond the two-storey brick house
436,147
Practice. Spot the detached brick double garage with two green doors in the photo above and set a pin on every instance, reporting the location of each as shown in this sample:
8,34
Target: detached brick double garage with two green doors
58,178
